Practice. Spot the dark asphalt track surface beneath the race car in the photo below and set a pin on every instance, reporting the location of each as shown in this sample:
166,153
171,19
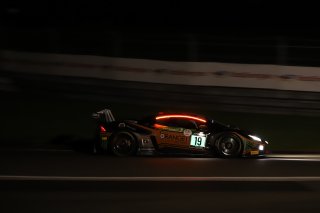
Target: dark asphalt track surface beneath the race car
70,181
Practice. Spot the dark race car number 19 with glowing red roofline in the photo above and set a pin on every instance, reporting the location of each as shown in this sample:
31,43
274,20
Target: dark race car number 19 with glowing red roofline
173,133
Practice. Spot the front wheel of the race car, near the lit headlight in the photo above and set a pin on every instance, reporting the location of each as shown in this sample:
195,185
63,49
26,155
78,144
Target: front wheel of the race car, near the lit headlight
229,145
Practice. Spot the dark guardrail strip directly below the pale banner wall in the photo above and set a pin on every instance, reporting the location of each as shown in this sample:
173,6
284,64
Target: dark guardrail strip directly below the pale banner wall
166,95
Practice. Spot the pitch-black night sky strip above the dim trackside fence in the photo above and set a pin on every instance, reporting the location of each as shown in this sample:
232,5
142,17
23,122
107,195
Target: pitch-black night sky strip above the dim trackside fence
244,16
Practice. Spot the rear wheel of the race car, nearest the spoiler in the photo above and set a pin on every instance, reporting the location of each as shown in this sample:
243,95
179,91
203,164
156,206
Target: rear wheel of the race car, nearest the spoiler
124,144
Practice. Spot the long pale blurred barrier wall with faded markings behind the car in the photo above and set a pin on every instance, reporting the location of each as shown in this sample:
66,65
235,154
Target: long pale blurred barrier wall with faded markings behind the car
296,78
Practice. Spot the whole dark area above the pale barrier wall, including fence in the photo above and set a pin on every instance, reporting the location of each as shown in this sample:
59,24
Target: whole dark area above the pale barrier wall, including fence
227,31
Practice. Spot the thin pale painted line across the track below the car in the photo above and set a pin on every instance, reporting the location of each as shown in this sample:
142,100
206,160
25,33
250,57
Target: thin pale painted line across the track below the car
161,179
